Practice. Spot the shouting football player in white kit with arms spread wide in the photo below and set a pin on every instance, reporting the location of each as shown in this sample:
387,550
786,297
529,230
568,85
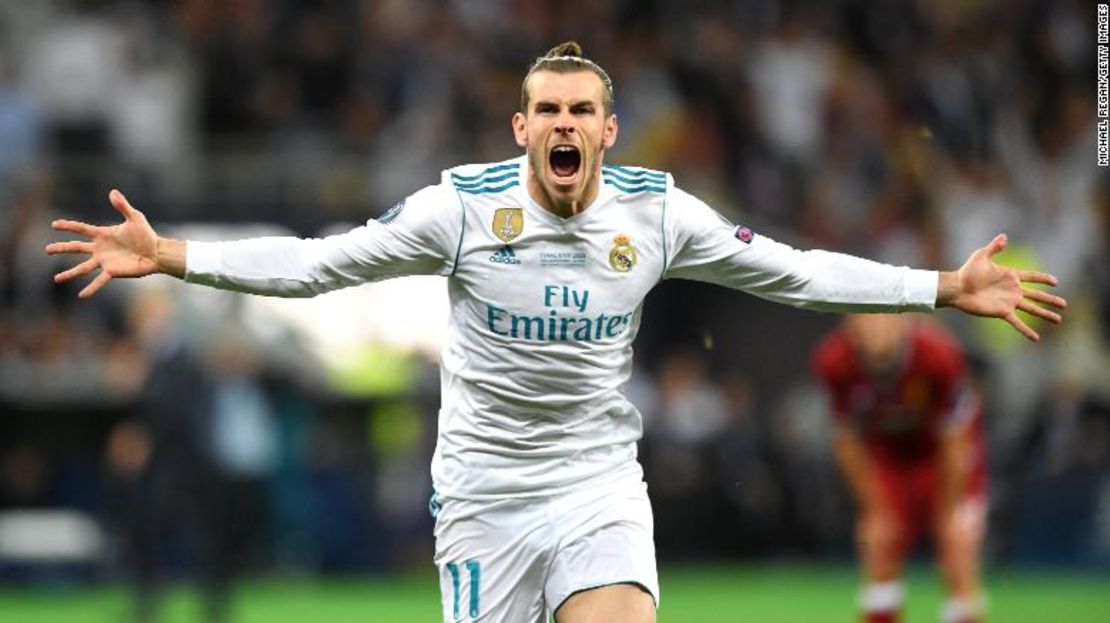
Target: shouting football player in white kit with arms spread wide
540,501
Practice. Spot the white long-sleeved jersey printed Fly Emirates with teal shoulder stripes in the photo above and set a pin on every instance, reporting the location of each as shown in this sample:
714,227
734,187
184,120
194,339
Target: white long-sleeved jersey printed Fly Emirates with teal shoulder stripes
544,310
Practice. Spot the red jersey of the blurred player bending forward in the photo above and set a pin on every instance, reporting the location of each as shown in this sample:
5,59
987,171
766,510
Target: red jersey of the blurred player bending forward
902,415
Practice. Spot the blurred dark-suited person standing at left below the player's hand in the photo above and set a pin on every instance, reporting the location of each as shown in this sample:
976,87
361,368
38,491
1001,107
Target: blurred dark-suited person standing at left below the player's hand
167,488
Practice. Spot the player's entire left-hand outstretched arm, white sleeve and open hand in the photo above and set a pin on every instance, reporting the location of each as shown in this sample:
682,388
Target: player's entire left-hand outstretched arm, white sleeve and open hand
421,239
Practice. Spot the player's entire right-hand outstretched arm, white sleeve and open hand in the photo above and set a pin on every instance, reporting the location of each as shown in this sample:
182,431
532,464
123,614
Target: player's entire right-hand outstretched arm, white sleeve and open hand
704,247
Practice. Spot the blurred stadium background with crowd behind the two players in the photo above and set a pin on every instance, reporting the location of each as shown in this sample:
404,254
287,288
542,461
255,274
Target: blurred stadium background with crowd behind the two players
907,132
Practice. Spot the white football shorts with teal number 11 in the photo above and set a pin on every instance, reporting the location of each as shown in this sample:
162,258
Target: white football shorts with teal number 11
518,560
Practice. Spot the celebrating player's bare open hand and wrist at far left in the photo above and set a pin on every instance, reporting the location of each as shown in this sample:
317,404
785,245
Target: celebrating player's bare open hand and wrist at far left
127,250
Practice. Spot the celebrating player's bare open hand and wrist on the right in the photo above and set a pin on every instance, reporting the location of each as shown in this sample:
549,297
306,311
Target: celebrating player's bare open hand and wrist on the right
984,288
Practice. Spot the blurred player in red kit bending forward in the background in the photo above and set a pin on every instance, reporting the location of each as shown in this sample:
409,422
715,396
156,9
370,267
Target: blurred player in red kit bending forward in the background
910,445
